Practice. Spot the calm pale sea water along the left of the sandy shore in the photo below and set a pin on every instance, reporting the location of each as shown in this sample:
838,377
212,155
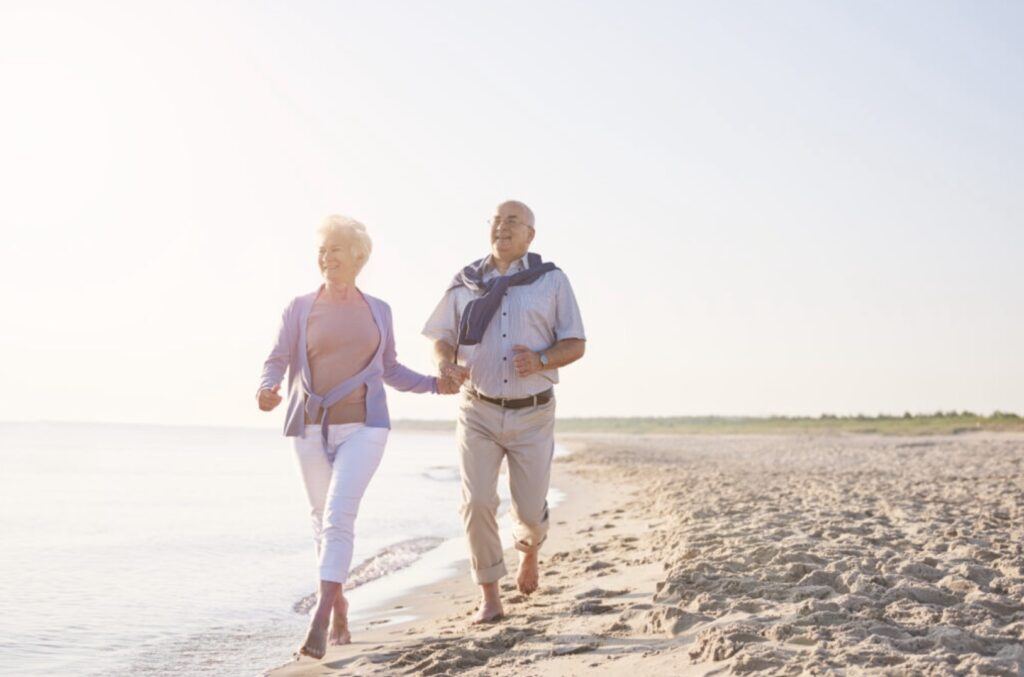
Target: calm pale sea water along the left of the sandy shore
158,551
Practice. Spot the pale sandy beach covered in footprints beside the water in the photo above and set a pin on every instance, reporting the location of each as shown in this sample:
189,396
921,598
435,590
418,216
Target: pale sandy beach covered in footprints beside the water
739,555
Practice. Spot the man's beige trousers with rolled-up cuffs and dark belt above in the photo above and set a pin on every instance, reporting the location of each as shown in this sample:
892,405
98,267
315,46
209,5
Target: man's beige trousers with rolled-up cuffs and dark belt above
487,434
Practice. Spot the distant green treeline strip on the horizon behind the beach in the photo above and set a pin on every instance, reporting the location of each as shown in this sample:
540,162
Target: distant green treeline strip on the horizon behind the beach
908,425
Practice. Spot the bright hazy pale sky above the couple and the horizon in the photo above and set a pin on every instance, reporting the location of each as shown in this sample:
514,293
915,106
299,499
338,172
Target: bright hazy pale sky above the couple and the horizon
764,208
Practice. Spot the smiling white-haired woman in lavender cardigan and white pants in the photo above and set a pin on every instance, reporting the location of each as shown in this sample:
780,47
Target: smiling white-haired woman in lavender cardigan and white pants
338,349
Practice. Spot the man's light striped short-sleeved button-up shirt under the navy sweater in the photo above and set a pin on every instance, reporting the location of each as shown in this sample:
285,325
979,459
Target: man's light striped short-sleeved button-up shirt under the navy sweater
536,316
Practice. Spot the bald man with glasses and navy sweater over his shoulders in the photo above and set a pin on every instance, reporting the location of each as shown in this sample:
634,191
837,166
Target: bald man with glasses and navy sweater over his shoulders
505,326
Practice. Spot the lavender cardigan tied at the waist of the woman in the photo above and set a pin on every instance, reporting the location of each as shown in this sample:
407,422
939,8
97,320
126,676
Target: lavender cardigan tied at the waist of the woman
290,354
